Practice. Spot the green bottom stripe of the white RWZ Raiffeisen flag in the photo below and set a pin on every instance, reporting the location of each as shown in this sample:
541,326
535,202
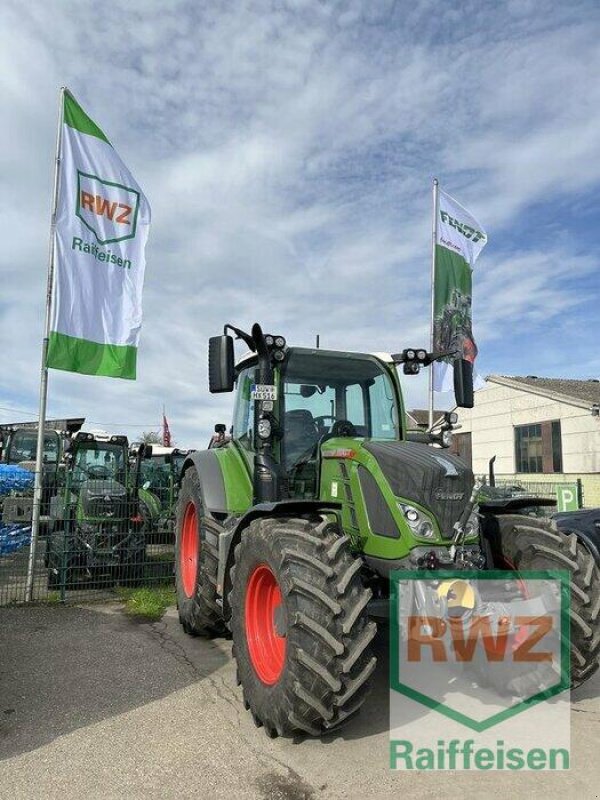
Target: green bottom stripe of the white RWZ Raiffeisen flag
91,358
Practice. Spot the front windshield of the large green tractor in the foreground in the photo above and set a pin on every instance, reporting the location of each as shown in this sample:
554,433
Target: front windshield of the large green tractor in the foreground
338,394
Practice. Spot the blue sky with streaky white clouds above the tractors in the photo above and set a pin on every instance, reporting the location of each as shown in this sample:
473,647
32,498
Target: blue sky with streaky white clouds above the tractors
287,150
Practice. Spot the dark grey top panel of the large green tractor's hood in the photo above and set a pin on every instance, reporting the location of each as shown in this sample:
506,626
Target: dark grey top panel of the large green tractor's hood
427,476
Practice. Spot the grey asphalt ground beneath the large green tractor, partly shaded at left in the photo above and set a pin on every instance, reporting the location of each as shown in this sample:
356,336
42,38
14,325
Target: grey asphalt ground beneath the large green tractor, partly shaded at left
95,705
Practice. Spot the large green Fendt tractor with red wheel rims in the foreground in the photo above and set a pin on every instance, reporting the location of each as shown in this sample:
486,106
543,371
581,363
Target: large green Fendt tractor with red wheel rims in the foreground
287,533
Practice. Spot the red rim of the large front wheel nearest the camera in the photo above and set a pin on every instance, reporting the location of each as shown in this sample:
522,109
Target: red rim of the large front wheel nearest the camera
266,647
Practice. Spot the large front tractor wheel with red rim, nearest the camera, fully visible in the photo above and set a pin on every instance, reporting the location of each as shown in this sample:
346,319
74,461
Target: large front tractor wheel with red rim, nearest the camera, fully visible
301,634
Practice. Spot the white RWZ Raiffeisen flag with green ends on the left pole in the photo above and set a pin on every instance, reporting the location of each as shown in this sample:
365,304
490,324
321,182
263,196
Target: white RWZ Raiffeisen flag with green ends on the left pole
101,230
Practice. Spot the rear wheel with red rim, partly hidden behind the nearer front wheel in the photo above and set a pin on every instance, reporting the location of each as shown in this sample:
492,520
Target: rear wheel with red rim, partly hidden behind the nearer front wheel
196,562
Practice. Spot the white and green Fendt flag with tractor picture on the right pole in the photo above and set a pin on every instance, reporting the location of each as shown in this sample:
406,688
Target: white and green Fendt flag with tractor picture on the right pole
460,240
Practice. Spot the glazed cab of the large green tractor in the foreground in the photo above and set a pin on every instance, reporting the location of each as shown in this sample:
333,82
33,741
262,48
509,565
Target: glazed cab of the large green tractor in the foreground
320,396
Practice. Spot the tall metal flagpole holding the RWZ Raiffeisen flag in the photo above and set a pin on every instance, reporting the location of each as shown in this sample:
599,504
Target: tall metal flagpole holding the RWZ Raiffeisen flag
37,490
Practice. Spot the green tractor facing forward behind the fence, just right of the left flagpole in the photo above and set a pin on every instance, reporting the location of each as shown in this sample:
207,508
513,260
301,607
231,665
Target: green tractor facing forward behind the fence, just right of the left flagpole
96,529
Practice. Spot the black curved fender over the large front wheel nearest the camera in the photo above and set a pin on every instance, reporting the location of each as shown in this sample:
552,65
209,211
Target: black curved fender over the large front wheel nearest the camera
232,534
